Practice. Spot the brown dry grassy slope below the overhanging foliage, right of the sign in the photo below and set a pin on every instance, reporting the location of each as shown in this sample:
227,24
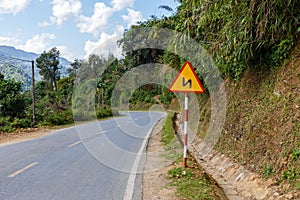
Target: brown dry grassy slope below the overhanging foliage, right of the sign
263,122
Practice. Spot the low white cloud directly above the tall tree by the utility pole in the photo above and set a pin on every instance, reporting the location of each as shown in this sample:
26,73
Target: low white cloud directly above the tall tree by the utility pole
38,43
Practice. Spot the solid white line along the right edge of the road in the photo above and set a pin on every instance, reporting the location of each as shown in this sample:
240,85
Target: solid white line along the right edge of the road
131,180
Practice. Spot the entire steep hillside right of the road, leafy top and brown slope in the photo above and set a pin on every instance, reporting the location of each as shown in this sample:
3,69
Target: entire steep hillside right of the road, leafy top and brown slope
255,45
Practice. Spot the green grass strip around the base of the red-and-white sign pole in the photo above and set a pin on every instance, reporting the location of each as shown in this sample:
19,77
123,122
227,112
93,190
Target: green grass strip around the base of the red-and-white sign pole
191,182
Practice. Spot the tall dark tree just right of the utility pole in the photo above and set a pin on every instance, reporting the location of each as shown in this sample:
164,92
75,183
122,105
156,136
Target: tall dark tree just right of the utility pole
48,63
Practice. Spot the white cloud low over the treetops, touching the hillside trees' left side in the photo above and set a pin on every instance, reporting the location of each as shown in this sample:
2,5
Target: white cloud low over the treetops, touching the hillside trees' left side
106,44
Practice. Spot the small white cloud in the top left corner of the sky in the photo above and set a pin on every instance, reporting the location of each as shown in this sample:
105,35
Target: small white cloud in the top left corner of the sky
14,7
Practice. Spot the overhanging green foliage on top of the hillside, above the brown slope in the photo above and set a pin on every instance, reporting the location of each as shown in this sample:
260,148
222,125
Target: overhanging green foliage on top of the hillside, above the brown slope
240,35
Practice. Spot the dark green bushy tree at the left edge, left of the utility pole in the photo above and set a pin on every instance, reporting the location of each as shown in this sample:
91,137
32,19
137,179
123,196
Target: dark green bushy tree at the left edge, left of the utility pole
12,101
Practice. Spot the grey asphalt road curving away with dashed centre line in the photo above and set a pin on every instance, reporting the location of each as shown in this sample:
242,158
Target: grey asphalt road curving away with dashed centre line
90,161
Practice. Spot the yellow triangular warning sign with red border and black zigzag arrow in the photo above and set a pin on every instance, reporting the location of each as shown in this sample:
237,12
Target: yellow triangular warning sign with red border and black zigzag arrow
187,81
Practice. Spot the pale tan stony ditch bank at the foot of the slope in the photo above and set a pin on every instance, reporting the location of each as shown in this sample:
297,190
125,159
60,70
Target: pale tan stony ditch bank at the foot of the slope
235,179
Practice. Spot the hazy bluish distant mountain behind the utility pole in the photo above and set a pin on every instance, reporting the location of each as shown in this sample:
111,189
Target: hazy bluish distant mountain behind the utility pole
14,65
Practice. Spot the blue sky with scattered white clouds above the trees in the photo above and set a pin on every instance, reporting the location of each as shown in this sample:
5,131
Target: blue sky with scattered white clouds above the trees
76,27
